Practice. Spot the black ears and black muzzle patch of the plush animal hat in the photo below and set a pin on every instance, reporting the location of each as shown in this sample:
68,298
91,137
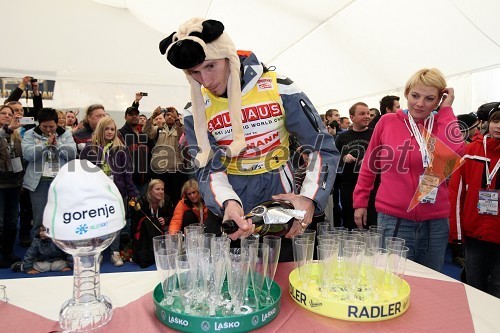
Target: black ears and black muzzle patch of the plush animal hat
186,53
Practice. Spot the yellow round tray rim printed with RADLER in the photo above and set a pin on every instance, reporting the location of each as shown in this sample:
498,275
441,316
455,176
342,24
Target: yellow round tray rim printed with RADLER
311,299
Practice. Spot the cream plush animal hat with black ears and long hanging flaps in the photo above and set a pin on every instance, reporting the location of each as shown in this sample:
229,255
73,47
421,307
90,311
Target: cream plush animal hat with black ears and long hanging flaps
198,40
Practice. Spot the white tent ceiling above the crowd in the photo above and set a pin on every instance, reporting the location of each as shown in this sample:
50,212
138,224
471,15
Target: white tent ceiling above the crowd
338,51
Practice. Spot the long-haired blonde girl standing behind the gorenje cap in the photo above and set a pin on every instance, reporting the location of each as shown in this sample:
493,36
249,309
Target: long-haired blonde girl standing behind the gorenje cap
108,152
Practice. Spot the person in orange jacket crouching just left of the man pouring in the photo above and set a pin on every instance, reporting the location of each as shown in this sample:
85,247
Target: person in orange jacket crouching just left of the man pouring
190,209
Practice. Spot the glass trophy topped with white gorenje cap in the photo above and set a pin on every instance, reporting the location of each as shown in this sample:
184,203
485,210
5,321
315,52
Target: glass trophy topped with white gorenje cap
83,215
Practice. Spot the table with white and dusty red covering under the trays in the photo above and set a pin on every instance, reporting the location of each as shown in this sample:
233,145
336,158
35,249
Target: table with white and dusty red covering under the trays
438,303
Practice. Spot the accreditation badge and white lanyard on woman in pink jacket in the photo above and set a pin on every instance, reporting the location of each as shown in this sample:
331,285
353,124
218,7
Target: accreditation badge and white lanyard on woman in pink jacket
428,182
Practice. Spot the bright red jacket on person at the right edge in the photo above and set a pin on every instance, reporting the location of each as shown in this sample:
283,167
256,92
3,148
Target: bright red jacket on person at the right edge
464,189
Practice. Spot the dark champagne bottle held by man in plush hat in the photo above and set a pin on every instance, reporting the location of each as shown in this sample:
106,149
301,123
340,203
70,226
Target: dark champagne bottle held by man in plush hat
274,217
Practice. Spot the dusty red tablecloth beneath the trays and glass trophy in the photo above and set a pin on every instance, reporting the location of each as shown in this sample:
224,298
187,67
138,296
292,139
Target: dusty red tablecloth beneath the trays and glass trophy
435,306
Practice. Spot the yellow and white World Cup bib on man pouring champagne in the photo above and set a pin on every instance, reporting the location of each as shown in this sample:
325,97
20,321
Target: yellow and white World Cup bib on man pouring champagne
263,118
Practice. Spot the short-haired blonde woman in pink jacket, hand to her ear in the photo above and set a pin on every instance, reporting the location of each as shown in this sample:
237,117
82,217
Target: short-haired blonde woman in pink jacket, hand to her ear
412,200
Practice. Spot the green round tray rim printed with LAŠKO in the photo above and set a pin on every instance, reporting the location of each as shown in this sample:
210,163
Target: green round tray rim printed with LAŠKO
240,323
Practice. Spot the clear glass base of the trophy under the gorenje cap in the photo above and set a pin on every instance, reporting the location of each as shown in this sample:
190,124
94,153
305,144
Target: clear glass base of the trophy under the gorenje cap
85,316
